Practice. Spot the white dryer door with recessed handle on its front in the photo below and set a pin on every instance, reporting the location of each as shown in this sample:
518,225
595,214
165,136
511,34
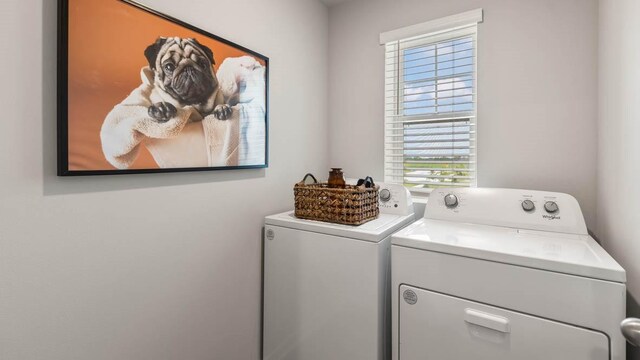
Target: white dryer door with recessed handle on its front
434,326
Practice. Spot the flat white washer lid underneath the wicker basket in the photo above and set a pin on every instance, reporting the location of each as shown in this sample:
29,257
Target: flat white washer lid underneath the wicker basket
374,230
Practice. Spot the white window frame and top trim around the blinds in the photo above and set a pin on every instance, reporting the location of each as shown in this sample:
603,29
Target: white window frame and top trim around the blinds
451,27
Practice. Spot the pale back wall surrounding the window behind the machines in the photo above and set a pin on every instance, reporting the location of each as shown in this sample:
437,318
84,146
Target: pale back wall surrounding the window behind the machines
537,89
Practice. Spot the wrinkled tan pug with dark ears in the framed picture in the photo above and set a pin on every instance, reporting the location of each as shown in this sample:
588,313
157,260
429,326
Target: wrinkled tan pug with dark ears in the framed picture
184,76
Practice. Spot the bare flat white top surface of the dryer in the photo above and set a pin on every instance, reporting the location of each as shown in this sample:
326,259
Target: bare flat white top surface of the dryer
564,253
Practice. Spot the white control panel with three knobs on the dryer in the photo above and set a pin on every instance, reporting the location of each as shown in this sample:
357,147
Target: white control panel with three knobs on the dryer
521,209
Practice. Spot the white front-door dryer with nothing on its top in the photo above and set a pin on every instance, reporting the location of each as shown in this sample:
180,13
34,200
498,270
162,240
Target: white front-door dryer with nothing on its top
496,274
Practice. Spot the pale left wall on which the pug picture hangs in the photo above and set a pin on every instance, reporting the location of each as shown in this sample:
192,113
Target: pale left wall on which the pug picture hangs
164,266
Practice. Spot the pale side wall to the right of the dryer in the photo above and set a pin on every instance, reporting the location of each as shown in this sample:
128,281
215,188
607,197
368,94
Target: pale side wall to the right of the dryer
618,145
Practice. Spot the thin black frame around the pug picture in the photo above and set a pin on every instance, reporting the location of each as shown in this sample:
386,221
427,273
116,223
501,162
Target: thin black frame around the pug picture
63,88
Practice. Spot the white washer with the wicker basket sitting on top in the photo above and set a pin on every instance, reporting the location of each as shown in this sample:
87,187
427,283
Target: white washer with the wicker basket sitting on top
327,286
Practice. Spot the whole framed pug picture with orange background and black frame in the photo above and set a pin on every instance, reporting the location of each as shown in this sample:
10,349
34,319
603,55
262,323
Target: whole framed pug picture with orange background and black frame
142,92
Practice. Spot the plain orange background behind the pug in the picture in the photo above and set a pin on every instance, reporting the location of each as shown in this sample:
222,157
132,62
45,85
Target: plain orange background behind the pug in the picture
107,39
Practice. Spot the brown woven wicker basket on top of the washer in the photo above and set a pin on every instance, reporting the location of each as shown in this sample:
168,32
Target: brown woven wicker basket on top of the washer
353,205
